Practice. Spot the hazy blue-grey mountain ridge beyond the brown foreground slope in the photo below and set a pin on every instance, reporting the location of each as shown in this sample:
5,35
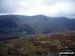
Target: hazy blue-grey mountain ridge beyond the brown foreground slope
16,25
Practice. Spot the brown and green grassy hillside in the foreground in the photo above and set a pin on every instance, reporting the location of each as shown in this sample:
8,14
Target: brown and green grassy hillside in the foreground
38,45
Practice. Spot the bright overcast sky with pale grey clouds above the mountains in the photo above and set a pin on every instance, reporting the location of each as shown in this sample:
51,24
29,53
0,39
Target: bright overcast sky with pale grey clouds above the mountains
36,7
